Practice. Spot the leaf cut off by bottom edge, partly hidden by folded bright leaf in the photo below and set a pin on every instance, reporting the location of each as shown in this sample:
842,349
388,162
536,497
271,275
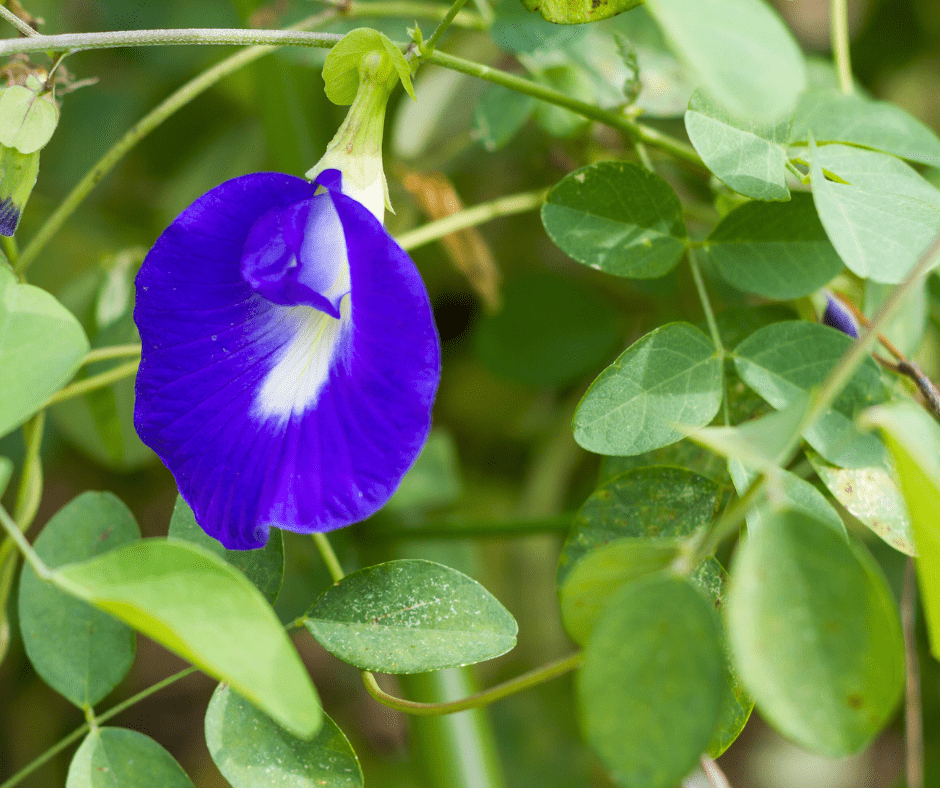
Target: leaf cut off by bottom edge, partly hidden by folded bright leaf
251,751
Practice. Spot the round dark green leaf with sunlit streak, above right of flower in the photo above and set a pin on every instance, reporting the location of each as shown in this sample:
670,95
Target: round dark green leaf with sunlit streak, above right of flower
617,217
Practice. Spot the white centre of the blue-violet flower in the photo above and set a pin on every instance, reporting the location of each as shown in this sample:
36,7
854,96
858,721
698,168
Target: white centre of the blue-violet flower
312,337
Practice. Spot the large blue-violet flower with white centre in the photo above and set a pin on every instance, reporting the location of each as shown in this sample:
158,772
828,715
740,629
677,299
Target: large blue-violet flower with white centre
290,358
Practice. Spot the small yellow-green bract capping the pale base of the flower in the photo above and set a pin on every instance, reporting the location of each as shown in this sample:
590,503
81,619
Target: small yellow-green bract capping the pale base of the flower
341,69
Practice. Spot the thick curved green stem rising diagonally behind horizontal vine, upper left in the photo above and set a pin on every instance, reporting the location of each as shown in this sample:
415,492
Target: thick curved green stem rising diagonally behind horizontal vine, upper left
142,128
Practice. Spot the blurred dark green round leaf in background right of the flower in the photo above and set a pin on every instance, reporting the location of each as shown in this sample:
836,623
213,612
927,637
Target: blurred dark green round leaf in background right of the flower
550,331
